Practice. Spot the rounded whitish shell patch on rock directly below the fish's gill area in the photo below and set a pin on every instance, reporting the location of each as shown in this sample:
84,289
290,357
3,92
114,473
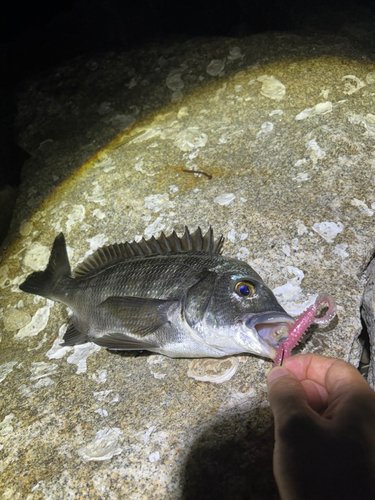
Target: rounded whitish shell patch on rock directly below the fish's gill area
212,369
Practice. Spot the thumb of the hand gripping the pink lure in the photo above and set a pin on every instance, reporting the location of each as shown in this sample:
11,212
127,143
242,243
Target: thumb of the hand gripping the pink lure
286,395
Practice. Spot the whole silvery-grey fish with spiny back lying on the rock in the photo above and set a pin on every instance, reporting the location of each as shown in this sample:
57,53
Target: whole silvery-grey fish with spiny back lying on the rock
176,296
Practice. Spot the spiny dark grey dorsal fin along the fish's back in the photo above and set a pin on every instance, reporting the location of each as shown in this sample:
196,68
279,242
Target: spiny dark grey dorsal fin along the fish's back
163,245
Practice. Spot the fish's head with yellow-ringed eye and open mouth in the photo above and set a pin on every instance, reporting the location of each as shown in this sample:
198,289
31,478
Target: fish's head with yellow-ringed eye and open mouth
242,312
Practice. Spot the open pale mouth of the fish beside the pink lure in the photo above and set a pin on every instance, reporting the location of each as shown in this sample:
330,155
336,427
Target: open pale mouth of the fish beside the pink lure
272,327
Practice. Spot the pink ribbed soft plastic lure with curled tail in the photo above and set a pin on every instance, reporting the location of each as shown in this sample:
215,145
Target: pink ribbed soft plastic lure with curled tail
299,327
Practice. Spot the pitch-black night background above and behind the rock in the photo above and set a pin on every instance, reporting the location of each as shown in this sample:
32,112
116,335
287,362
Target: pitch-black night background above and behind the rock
36,35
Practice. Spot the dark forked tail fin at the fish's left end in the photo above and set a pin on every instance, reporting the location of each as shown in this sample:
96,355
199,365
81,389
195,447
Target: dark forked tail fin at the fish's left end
44,282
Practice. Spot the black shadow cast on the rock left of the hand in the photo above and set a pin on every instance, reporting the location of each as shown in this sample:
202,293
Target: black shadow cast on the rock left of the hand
233,460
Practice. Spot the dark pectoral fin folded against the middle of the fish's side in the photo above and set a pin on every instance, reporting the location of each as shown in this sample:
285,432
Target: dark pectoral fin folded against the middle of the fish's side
138,316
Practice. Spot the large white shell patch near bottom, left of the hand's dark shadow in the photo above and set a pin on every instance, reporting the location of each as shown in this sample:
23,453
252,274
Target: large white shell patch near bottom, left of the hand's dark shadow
104,446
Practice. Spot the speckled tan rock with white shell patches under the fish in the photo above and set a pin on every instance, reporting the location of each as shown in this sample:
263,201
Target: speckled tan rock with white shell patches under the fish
280,131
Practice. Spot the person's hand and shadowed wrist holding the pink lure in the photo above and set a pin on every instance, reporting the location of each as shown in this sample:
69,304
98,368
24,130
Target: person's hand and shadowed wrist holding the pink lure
324,415
